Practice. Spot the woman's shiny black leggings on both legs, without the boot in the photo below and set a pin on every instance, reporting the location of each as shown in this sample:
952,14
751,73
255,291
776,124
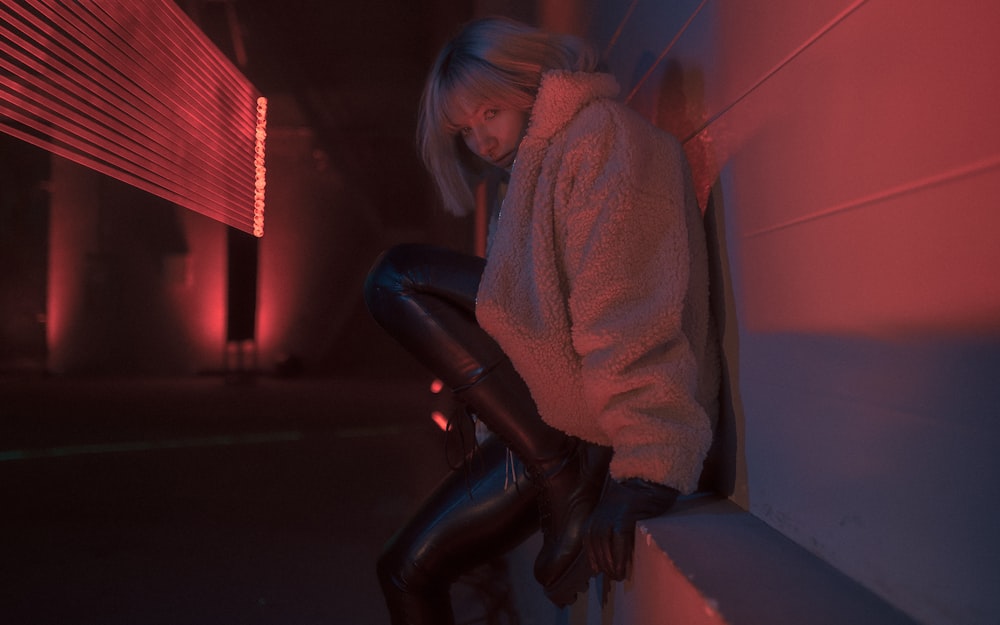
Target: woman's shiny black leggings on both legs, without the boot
425,298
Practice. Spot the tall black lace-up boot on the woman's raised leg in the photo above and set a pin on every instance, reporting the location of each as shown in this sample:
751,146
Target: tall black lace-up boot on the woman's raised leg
569,473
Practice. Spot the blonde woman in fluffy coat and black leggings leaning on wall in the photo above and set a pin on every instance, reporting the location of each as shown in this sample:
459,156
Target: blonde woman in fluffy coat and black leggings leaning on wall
583,341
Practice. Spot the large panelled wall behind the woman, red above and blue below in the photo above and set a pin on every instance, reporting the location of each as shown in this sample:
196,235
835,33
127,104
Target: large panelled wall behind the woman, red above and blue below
849,152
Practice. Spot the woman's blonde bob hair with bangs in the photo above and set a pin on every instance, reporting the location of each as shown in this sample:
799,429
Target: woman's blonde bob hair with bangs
494,60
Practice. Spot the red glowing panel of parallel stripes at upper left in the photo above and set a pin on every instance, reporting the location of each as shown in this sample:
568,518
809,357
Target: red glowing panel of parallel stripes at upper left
137,92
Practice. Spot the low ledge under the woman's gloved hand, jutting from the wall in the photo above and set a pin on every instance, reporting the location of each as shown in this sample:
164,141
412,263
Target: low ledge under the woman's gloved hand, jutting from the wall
710,562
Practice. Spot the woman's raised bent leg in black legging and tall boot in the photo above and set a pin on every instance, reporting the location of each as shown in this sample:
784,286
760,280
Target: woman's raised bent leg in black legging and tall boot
425,298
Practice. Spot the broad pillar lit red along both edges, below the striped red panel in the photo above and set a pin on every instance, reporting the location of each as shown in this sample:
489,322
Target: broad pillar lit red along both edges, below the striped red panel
136,286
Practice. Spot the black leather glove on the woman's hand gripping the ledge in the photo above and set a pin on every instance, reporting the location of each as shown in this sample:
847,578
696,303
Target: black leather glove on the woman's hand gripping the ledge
610,534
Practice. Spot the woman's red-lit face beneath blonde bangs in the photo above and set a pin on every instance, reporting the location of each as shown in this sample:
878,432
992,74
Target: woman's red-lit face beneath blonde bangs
492,133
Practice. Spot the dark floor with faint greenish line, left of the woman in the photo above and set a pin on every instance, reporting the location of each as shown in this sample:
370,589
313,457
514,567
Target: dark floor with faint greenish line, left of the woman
194,501
